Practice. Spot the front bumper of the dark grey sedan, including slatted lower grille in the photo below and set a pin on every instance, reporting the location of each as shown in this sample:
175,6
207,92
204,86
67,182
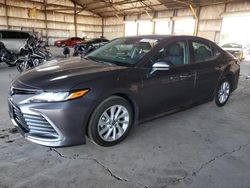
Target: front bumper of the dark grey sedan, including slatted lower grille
51,124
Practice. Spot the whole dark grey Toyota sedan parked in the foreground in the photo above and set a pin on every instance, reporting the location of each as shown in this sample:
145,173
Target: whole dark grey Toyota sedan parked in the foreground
128,81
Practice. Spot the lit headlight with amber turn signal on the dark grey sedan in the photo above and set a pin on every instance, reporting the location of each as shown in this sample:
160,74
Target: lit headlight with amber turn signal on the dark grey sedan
55,96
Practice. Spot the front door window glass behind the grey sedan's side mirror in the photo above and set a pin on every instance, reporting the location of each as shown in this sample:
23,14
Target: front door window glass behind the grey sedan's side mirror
175,54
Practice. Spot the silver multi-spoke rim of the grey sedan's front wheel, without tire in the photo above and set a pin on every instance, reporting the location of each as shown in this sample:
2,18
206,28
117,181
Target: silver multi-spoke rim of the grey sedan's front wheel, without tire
113,123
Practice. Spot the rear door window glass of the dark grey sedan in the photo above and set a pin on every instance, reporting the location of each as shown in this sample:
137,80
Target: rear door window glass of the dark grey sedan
202,52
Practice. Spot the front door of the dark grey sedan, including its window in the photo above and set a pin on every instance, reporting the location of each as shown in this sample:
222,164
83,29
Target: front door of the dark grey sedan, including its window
166,89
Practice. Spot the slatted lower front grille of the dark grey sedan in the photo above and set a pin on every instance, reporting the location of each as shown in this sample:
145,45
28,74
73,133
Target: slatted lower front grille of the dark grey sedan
35,125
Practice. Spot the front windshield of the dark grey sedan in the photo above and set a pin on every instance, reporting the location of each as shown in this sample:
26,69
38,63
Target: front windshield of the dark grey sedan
124,51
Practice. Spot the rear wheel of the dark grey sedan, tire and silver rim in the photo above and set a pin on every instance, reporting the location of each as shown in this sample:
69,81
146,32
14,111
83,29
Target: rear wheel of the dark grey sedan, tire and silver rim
222,92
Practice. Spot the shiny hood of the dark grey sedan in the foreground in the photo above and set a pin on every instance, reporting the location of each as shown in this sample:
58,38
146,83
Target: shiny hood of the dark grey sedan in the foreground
64,75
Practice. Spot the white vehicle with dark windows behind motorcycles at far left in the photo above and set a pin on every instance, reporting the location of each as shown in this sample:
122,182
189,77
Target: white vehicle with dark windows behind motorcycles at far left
14,40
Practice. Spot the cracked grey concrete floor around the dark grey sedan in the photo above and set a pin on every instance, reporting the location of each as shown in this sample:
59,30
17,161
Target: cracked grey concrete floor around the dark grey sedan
204,146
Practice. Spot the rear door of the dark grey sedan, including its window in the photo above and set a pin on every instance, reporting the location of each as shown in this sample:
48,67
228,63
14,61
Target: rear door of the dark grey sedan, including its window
206,62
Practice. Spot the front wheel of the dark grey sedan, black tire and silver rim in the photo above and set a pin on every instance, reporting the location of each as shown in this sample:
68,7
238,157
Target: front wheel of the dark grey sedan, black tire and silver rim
101,123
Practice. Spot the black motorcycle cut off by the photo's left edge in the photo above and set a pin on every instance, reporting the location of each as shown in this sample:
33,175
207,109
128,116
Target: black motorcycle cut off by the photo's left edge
6,56
